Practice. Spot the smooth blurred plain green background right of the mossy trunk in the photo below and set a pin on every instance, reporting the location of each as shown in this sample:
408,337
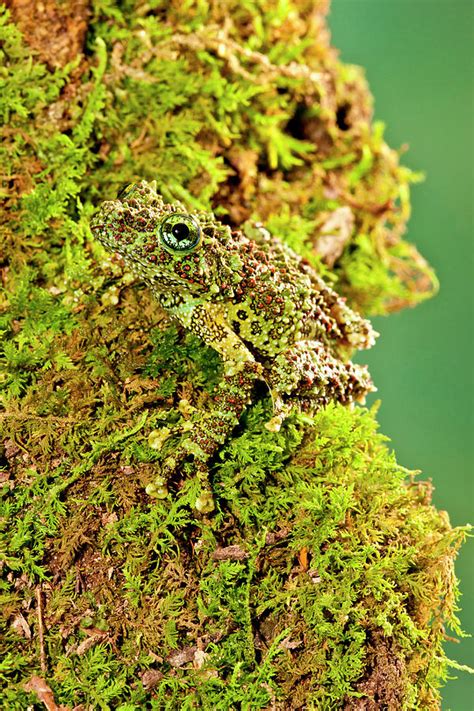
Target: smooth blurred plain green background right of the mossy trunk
418,58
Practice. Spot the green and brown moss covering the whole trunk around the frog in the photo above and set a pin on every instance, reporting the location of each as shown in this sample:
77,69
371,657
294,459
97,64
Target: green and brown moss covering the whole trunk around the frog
325,578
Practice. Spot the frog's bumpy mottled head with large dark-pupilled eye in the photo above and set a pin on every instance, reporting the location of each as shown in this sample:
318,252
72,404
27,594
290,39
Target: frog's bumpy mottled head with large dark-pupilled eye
172,249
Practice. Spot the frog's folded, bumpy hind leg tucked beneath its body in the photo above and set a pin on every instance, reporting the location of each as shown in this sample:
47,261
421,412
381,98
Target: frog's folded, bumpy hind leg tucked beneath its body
308,374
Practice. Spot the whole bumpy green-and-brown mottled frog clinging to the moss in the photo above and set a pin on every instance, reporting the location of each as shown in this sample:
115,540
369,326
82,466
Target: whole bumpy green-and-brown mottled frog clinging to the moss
249,296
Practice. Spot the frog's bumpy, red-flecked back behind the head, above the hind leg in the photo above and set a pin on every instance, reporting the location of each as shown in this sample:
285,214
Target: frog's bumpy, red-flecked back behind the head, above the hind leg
281,300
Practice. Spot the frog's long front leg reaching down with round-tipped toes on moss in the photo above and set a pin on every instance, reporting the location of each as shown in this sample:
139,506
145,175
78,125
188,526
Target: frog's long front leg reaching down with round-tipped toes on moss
209,430
